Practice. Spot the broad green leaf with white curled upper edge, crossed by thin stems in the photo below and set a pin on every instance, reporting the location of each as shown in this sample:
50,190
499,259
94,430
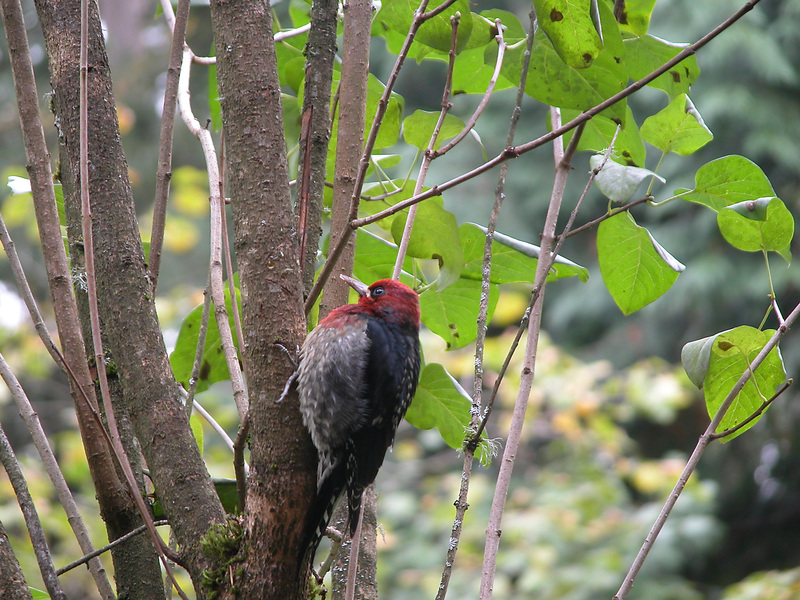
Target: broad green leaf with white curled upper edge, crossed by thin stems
512,260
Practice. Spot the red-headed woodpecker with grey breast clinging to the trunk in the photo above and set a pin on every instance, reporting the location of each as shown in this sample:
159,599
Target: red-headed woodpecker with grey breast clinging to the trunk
358,373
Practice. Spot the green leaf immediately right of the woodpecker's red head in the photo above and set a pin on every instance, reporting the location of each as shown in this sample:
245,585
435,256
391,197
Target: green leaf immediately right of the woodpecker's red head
452,313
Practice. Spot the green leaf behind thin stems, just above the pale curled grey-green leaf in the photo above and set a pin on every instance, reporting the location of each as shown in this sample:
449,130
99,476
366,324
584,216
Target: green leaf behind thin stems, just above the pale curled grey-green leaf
599,131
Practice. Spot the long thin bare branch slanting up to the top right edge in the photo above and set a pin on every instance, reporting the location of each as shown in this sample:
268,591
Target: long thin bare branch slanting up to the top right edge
516,151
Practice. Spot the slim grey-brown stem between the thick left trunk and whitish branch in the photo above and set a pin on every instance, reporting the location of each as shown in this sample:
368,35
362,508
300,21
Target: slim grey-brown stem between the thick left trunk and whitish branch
164,171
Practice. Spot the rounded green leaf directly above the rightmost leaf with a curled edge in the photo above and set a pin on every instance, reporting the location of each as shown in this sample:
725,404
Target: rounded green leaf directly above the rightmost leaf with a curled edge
728,180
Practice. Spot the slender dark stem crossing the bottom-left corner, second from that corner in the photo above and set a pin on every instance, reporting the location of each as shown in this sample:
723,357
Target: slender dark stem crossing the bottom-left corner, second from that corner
32,522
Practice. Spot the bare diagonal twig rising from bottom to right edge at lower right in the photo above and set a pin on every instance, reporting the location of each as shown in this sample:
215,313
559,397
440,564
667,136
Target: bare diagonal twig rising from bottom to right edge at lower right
694,459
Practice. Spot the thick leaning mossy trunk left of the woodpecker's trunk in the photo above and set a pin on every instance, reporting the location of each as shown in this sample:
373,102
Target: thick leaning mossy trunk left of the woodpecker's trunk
126,304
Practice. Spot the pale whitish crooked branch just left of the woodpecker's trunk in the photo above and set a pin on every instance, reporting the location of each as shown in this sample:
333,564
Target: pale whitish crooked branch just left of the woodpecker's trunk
215,261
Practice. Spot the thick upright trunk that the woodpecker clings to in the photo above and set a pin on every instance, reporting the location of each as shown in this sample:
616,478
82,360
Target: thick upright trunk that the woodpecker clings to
282,464
